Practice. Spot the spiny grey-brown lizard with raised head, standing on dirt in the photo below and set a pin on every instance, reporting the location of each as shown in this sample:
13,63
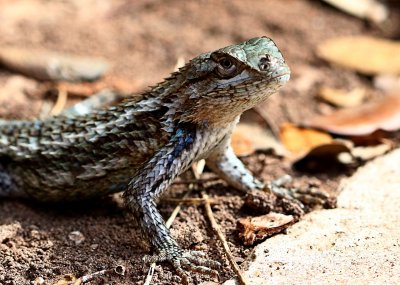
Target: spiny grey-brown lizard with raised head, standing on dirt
142,144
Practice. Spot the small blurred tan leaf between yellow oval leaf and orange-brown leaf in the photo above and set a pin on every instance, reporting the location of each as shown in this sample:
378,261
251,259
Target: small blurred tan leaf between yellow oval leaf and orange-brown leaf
342,98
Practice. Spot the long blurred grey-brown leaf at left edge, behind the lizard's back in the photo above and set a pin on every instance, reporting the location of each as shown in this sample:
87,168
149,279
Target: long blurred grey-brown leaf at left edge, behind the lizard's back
50,65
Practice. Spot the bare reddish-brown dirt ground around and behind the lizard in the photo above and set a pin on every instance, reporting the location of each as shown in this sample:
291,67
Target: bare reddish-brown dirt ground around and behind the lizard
144,39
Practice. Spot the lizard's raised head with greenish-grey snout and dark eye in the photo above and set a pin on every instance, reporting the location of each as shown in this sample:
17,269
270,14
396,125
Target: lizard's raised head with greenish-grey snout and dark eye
223,84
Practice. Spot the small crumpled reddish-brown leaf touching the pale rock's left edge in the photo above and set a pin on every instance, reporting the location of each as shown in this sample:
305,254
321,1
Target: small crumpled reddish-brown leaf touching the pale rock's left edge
256,229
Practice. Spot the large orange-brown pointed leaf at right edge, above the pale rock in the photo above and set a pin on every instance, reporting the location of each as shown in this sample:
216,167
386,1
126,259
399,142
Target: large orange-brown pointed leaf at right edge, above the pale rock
382,114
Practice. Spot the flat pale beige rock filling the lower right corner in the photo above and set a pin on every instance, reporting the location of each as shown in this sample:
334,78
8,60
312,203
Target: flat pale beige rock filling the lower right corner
358,243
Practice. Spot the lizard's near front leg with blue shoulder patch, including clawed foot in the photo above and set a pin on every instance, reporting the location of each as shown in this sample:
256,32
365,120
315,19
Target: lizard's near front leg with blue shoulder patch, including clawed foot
141,197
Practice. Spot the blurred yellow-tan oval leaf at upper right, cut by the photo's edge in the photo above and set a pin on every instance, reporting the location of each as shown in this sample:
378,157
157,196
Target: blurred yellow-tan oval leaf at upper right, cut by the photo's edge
364,54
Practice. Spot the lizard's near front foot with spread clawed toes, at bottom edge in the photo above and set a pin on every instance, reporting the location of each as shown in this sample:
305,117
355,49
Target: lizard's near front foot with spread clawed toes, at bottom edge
184,261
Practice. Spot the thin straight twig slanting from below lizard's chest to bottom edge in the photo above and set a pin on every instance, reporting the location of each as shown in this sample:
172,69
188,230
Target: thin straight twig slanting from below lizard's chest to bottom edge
215,227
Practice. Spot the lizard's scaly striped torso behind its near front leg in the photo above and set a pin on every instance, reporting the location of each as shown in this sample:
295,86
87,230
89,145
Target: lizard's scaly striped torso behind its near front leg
64,158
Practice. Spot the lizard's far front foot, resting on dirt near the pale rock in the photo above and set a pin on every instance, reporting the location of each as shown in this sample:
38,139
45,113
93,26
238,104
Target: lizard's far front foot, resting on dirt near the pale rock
309,196
